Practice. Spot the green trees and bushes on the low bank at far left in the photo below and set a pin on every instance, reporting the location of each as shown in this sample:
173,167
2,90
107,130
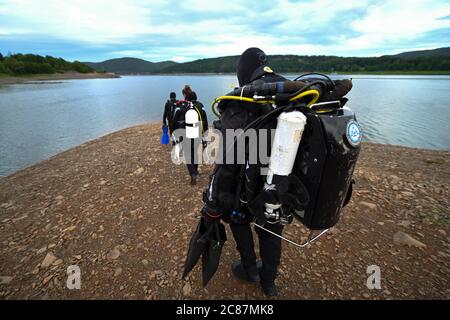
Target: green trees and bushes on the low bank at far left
29,64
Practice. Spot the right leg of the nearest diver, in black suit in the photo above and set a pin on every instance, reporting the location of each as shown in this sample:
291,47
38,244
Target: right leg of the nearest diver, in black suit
270,251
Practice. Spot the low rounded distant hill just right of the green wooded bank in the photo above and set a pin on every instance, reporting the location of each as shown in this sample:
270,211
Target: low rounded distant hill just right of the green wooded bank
129,65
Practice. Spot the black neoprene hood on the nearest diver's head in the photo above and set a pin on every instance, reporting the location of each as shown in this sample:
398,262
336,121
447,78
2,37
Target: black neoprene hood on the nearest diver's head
251,65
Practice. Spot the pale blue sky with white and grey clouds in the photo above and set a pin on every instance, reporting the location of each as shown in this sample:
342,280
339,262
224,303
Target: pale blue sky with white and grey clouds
96,30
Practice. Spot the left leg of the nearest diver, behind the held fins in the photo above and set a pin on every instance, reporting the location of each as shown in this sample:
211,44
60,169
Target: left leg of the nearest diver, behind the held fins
243,236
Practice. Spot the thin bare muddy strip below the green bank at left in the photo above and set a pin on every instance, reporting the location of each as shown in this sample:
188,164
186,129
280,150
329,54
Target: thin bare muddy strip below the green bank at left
57,76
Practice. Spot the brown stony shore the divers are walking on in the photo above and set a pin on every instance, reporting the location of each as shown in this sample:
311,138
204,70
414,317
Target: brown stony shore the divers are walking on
118,208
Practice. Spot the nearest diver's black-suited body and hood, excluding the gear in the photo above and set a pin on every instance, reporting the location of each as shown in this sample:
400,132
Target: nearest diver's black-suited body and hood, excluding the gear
220,194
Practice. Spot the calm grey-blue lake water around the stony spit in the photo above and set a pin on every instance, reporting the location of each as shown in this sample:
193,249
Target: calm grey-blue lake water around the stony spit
41,120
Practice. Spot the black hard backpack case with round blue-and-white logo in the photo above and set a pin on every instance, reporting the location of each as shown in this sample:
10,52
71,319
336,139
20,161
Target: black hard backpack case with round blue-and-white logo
325,163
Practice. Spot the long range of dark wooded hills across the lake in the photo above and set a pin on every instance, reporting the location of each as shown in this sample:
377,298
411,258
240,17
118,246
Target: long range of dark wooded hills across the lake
437,60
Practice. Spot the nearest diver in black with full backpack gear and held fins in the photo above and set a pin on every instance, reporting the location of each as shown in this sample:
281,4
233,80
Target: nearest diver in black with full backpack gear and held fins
308,176
